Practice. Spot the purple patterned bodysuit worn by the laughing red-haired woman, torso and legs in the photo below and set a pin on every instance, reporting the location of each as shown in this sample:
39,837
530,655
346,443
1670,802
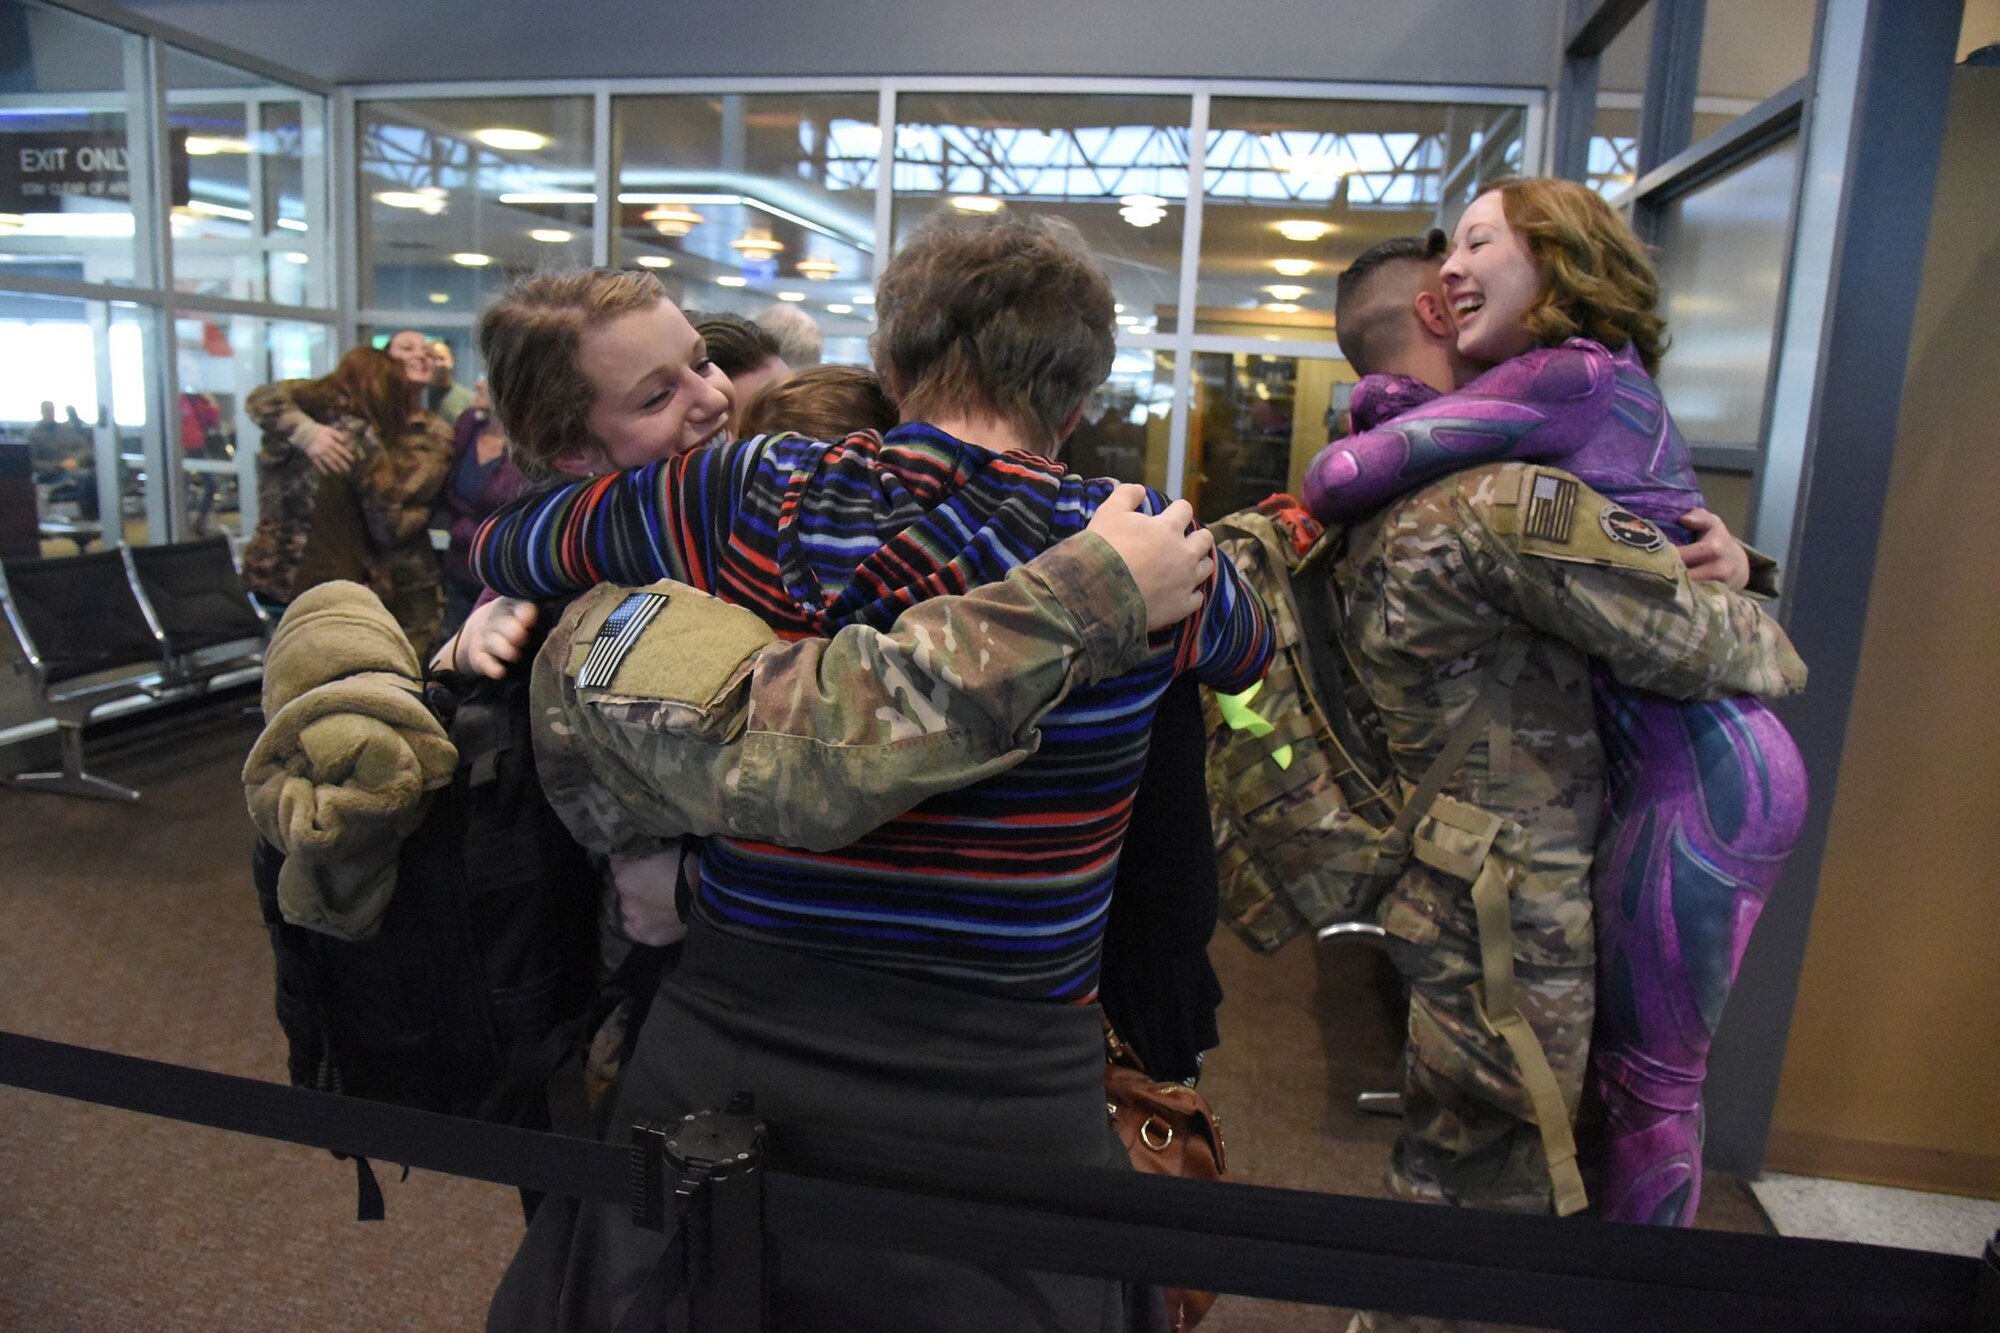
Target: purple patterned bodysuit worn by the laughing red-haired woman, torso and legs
1705,800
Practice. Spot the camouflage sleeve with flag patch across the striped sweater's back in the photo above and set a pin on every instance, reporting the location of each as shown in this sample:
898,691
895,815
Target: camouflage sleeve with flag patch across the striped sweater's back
701,722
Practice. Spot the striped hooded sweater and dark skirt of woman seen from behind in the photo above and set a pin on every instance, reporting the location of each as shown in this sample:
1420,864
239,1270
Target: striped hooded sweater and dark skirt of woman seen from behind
935,978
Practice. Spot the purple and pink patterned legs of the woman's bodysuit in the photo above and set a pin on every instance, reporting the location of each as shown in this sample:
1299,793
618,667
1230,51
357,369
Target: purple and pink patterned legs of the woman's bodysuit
1705,804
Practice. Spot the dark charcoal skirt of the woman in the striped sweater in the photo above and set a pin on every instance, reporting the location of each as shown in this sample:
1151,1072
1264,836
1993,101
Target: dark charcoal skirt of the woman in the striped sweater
829,1044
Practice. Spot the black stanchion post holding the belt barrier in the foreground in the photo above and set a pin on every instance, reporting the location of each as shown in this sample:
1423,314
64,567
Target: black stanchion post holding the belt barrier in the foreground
705,1178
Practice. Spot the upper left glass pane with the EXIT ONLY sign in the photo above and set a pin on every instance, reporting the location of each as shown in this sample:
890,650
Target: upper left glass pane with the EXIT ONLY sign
65,119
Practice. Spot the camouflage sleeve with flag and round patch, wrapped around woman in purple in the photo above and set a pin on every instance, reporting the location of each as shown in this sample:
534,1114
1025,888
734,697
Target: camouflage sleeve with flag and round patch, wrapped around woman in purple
1575,565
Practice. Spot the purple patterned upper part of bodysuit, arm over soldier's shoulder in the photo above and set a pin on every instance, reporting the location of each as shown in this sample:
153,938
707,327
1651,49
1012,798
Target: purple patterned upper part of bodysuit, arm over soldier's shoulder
1579,407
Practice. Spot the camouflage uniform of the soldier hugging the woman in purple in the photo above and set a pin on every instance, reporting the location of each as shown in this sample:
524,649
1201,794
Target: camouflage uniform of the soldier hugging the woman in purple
1439,589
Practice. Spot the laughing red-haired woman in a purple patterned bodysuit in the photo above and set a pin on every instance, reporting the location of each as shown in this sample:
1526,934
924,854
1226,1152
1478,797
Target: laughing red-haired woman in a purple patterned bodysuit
1555,291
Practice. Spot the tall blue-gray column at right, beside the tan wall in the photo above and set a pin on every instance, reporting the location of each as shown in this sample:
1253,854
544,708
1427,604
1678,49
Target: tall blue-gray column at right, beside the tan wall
1875,125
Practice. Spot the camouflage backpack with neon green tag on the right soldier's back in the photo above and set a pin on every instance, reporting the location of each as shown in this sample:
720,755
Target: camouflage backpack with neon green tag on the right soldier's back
1313,826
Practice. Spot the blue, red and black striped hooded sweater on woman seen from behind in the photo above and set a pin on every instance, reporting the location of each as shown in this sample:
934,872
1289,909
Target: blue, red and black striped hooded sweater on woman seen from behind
1001,888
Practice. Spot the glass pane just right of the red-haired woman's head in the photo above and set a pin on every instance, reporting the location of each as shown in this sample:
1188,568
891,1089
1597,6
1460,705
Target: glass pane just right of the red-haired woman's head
1723,251
